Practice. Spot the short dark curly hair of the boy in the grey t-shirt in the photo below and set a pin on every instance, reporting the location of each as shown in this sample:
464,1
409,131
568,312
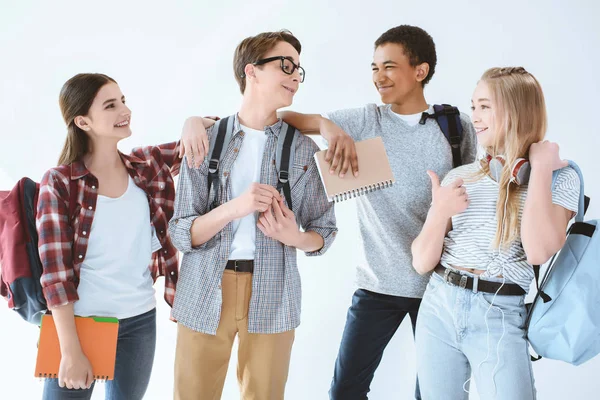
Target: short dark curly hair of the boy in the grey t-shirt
418,46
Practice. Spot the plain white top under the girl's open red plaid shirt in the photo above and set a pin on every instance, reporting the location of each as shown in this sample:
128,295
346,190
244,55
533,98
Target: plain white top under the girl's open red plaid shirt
115,278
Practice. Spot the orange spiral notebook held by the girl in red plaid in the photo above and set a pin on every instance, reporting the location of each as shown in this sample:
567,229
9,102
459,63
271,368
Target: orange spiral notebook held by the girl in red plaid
98,338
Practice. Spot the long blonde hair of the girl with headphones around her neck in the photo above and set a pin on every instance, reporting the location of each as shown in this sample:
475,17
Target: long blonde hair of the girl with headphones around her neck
519,113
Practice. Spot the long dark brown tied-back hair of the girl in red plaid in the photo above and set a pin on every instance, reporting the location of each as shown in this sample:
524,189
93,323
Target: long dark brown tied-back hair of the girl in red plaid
76,98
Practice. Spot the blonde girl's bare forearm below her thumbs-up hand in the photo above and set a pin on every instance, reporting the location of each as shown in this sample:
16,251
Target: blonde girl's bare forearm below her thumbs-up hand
428,246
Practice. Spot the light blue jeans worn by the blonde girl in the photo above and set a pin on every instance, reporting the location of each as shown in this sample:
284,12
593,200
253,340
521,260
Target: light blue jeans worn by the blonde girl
453,342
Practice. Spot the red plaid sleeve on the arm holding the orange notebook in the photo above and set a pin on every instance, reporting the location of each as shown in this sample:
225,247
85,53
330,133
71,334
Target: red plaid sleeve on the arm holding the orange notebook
55,240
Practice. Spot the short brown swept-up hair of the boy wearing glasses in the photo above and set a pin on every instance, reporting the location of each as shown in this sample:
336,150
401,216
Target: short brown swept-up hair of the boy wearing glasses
254,48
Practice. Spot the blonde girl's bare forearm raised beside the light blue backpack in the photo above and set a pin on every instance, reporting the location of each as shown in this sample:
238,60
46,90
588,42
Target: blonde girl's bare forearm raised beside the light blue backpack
542,230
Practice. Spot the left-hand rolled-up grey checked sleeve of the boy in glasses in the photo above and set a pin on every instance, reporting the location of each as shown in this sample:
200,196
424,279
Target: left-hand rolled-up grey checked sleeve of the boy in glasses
190,203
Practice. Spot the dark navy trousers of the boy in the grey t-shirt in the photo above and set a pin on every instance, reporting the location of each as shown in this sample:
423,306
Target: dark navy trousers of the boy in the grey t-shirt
371,323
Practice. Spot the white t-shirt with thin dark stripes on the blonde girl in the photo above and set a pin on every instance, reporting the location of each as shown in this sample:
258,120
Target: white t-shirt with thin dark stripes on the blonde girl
468,244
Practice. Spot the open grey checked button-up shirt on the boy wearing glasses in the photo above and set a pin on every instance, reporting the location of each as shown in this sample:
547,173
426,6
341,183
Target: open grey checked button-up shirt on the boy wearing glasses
276,290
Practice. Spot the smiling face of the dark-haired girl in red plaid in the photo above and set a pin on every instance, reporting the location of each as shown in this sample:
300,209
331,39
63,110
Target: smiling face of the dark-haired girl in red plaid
108,116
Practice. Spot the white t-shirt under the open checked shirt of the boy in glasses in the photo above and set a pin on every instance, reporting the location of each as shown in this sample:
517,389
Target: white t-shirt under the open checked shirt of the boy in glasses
245,171
